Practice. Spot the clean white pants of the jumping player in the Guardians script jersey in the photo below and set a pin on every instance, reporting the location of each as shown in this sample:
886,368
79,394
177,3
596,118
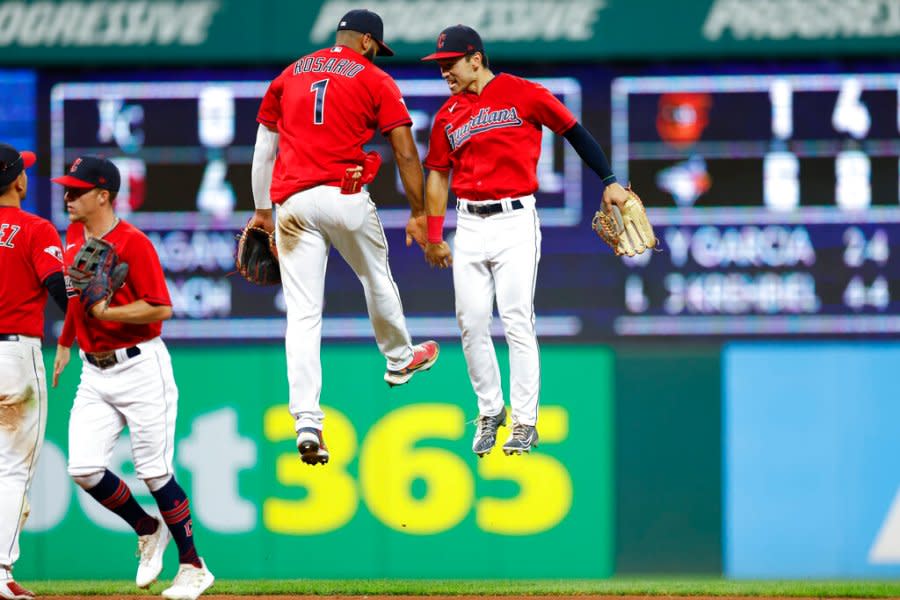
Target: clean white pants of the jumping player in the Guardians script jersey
497,256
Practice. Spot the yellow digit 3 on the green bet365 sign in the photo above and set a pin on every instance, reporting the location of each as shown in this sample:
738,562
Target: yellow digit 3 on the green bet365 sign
331,499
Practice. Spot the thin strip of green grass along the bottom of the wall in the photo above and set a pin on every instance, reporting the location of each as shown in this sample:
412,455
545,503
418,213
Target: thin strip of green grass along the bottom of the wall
656,586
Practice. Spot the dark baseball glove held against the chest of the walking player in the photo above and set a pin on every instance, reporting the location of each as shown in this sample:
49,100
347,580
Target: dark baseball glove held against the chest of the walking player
96,272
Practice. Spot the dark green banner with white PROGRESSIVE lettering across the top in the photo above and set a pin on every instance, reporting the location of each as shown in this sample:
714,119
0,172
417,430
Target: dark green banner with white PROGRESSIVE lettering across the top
92,32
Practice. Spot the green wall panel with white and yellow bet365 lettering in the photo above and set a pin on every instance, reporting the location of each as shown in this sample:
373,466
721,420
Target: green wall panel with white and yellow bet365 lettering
403,495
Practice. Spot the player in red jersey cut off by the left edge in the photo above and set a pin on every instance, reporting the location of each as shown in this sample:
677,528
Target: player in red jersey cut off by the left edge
32,265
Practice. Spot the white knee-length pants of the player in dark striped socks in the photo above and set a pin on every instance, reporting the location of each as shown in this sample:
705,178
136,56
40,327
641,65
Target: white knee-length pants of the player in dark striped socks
139,392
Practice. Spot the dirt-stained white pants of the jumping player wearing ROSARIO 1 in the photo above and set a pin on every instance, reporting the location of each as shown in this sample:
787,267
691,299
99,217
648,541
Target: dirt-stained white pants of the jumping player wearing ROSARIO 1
309,223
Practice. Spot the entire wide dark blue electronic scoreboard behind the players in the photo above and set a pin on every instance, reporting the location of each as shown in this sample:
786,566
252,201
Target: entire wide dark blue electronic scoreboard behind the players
775,193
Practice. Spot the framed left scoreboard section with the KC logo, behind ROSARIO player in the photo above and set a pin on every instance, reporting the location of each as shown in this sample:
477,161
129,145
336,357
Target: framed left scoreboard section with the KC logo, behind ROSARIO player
184,149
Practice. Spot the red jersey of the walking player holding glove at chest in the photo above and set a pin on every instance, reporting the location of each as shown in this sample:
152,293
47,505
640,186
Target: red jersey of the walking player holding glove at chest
145,281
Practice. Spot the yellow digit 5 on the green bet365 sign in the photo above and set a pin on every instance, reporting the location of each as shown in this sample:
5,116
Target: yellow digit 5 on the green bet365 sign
545,487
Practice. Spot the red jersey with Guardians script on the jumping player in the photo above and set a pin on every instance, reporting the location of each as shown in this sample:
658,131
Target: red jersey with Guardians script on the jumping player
492,140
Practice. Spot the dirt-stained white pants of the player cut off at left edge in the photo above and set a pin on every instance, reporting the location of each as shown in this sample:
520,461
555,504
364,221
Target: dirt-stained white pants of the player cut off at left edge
23,418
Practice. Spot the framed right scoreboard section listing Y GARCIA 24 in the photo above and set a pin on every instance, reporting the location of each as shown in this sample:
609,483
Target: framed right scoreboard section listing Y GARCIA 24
776,198
